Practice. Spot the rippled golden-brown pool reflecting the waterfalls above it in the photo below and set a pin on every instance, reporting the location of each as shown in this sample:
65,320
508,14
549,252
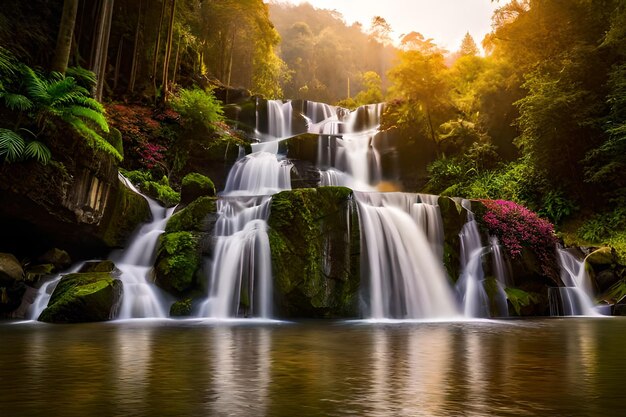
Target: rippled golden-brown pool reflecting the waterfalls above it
564,367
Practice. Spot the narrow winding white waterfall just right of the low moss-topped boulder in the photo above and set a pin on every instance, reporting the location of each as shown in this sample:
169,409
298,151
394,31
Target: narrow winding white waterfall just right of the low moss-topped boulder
142,299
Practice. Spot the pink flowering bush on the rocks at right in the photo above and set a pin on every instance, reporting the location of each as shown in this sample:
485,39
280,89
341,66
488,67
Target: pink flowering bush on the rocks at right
517,228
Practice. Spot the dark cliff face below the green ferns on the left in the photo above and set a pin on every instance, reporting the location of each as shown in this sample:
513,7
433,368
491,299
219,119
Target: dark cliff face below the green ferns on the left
76,202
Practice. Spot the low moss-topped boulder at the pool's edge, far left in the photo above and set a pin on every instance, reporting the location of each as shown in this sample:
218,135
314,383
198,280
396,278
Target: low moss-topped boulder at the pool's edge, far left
84,297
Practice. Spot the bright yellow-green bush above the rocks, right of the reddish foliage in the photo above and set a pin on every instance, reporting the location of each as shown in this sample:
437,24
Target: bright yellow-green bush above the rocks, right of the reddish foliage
198,107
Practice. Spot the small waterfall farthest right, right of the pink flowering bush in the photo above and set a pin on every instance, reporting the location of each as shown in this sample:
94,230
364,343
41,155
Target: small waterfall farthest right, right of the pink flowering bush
575,299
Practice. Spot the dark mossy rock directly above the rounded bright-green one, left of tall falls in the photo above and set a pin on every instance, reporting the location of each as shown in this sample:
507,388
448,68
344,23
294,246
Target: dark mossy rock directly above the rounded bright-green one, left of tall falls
198,216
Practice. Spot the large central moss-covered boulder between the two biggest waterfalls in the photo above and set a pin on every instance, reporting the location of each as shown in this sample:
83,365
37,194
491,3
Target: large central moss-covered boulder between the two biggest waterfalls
314,239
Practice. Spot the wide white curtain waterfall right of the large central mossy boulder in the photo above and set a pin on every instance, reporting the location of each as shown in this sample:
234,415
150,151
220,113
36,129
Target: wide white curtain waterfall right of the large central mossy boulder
405,278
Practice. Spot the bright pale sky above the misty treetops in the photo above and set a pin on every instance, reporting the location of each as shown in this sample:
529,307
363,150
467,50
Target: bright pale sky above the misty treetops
446,21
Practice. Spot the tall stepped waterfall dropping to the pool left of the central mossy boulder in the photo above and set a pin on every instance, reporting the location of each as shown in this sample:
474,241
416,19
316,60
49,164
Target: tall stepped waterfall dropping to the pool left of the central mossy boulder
239,275
